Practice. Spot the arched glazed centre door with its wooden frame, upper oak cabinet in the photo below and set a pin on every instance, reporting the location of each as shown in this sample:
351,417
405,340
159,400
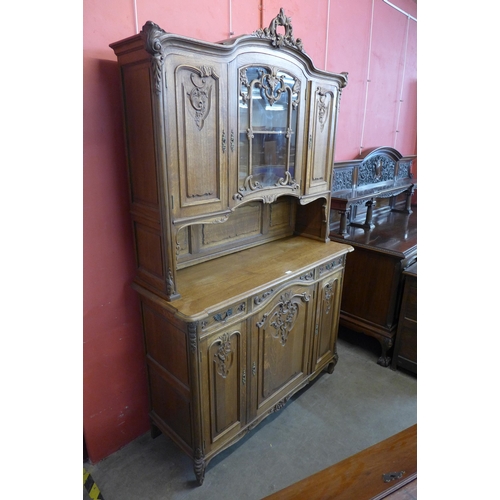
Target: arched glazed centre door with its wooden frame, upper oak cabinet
271,107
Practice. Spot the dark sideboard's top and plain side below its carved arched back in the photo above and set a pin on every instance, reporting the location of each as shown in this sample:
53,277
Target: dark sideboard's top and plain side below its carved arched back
372,290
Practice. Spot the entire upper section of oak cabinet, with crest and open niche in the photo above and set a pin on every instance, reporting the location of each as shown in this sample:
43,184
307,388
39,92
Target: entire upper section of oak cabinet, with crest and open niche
229,145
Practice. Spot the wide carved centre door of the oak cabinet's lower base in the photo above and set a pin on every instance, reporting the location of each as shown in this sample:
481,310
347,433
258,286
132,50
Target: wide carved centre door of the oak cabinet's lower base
281,347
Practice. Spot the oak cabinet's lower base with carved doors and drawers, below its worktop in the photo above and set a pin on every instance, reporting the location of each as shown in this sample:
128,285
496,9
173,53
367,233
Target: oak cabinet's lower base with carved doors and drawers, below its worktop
213,378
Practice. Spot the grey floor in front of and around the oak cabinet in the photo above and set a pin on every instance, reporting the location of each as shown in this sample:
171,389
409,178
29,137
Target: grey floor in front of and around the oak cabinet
337,415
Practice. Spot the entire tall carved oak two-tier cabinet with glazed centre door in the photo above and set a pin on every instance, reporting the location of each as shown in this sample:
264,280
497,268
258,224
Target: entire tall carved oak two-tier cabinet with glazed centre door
230,151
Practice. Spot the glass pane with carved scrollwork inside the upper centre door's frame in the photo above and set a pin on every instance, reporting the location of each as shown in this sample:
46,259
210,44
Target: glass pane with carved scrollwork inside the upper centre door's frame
268,103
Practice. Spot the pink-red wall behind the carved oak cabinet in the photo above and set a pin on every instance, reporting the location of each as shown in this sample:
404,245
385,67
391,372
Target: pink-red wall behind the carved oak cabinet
114,378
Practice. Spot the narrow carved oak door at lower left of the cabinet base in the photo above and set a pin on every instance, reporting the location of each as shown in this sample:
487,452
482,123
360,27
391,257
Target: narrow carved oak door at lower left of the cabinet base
224,380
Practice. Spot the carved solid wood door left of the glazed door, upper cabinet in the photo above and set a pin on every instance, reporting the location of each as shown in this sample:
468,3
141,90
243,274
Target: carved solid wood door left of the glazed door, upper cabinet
197,142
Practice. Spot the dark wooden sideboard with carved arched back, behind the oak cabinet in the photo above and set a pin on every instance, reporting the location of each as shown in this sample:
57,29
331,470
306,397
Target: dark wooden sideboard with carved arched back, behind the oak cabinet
372,211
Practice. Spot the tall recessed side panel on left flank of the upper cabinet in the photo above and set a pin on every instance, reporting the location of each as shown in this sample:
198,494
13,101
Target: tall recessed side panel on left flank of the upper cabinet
140,137
